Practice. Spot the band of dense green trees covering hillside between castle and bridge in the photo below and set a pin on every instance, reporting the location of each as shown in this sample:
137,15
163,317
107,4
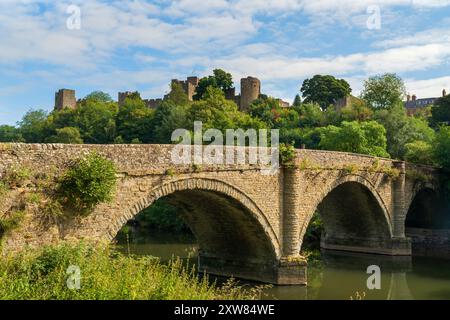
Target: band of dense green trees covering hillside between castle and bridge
375,123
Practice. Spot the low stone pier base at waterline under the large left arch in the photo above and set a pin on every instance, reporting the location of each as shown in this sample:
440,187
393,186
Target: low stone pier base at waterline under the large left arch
286,271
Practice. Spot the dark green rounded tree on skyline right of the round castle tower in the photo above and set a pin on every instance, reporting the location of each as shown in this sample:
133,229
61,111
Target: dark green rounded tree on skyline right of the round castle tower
324,90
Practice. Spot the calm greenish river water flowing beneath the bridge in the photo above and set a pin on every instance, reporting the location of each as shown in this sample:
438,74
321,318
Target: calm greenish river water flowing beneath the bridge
333,275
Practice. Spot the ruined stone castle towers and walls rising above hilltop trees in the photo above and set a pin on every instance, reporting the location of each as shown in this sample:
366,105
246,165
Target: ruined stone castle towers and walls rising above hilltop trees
250,91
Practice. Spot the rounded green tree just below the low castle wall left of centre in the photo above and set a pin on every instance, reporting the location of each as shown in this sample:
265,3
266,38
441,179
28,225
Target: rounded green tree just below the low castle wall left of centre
135,121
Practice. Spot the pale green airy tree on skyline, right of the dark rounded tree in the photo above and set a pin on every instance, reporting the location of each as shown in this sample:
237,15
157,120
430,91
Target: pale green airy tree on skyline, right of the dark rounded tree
383,91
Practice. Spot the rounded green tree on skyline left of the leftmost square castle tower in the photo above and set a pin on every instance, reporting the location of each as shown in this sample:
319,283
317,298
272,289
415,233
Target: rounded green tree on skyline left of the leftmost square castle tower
35,126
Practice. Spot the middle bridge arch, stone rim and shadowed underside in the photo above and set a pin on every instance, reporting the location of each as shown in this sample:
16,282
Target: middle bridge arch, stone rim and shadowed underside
355,218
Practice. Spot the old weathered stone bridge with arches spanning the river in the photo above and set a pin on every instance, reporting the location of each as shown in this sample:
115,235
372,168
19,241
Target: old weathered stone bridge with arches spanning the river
248,225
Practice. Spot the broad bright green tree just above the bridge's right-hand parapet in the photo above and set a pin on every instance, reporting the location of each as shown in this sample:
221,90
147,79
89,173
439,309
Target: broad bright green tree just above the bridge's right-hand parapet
358,137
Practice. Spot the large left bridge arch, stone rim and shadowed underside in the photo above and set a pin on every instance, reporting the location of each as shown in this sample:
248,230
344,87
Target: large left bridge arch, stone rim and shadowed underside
233,234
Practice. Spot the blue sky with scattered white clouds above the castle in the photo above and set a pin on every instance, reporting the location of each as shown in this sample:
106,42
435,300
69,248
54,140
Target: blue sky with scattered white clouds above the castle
113,45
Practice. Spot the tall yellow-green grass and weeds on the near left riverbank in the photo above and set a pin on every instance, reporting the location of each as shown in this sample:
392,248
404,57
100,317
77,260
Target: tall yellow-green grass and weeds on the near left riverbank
106,274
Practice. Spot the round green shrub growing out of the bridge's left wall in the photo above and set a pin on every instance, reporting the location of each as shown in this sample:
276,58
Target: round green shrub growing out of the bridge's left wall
88,182
